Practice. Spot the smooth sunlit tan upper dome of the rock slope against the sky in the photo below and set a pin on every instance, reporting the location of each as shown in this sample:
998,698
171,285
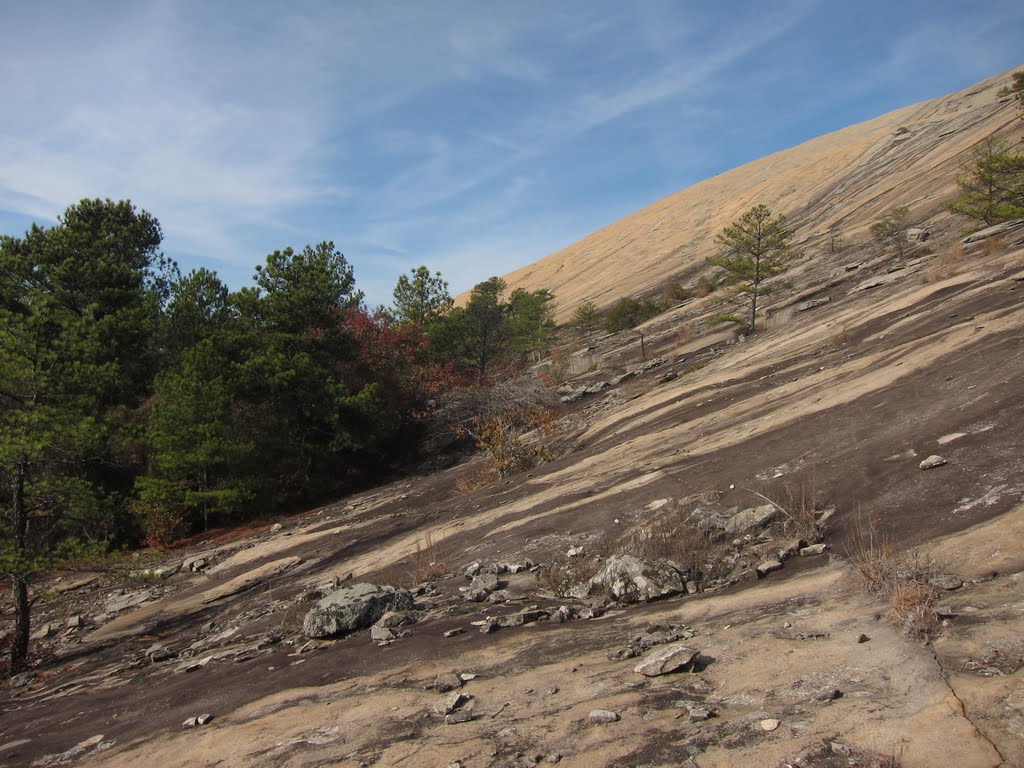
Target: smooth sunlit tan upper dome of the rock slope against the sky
839,184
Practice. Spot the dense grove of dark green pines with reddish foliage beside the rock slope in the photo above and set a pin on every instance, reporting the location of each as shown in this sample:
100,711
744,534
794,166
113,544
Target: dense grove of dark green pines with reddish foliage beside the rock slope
142,405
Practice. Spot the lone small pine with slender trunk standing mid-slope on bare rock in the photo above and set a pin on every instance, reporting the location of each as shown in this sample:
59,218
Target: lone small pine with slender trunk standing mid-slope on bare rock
757,250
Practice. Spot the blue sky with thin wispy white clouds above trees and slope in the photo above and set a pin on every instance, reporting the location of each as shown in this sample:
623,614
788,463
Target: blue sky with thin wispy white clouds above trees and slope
474,138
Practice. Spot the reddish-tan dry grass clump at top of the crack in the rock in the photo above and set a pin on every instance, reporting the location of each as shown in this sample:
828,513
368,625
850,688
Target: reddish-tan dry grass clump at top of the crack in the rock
902,577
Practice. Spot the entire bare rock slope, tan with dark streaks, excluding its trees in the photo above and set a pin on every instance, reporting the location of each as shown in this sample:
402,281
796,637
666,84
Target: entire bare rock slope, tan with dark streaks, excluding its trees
759,481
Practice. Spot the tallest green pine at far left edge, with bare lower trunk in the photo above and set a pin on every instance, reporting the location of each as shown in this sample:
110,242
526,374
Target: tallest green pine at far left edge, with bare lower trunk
79,307
